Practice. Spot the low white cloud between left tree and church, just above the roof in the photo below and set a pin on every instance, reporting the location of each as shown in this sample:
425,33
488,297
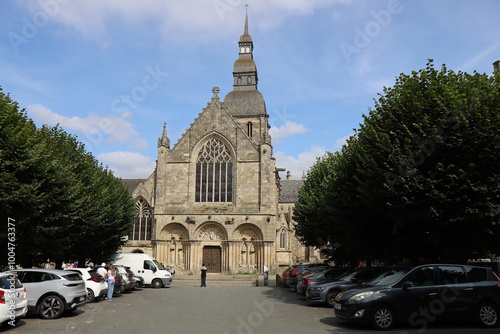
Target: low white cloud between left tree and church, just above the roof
128,165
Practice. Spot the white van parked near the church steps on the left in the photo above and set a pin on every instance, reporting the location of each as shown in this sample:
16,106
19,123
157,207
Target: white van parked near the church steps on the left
145,265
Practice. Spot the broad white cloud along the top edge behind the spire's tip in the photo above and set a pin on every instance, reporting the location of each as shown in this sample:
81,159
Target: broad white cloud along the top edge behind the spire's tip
199,19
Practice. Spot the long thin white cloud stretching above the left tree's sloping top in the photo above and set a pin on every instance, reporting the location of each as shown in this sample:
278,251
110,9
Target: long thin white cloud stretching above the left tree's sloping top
94,128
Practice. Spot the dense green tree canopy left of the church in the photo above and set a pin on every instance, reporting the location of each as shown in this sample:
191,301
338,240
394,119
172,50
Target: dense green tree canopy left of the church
61,202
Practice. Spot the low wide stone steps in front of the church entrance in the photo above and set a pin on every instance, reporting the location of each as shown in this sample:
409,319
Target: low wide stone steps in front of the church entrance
218,280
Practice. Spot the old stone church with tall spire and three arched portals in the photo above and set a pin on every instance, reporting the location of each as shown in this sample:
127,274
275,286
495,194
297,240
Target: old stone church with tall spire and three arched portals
216,196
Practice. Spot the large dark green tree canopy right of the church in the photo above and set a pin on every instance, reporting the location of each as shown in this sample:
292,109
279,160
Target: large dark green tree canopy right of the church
419,180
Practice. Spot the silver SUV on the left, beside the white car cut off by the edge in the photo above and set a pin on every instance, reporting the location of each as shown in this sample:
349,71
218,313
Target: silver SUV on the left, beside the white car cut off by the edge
52,292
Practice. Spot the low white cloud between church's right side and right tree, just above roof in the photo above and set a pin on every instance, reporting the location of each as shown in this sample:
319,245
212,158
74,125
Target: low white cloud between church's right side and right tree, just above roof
301,164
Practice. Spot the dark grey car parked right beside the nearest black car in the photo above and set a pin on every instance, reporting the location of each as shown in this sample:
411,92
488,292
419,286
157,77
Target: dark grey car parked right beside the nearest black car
325,292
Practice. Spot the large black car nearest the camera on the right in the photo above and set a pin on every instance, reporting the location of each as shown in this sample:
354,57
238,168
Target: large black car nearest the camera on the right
422,294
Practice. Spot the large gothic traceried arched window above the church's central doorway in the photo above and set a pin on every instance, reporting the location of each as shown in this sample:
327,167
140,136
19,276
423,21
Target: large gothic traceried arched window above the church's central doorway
214,173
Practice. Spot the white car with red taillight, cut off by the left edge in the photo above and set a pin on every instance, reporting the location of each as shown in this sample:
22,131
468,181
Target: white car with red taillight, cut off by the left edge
13,302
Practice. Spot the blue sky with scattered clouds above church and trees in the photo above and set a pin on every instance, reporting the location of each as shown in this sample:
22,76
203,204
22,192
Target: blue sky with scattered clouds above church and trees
111,72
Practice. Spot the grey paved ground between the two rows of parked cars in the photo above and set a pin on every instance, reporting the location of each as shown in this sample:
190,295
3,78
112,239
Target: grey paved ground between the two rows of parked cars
211,310
